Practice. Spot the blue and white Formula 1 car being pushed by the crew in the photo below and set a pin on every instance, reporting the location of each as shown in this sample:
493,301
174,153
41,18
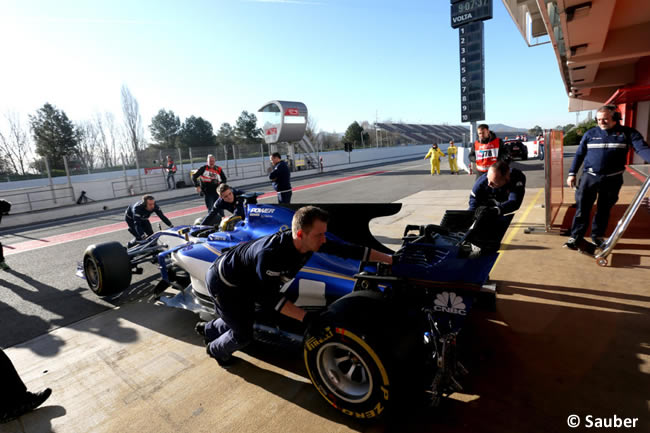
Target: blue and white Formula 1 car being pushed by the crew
385,331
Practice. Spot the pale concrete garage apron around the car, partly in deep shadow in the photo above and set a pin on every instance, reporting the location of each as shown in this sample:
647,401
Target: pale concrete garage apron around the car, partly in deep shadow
567,338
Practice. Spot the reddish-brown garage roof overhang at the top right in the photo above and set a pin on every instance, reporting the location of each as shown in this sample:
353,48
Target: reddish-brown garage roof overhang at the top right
598,45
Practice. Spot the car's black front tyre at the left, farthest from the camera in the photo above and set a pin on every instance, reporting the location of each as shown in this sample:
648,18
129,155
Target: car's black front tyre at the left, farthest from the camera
107,268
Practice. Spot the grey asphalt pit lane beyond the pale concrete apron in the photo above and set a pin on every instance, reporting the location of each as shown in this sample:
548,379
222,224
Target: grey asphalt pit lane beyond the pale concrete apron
41,292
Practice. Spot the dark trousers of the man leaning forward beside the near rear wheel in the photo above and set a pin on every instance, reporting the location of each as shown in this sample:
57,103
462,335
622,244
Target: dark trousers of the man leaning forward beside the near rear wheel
233,330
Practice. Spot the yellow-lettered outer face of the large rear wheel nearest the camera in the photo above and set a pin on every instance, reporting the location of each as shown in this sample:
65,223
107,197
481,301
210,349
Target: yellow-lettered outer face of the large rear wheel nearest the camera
349,371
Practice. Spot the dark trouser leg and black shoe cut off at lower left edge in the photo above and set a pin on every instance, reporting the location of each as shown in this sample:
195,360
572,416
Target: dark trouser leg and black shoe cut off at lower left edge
15,400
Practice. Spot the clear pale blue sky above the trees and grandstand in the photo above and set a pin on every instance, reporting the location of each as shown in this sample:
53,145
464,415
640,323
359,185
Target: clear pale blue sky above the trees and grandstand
345,59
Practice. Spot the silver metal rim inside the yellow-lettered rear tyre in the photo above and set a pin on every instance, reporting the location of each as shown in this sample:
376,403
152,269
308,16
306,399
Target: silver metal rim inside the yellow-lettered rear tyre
344,372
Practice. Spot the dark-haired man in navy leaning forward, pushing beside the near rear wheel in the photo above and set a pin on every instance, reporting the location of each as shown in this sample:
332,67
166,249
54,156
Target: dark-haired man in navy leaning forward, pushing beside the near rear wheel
256,271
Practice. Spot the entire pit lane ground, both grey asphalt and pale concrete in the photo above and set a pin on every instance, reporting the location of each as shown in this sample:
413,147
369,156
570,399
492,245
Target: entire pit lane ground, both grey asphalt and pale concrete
566,337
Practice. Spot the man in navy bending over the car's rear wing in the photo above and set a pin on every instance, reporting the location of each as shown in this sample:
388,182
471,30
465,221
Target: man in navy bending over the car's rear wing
498,192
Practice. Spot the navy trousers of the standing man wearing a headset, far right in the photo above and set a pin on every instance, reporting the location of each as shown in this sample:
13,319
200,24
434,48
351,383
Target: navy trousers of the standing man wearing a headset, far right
600,189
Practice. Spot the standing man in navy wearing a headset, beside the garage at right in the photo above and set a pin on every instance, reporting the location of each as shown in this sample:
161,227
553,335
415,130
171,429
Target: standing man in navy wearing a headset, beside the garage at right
603,149
